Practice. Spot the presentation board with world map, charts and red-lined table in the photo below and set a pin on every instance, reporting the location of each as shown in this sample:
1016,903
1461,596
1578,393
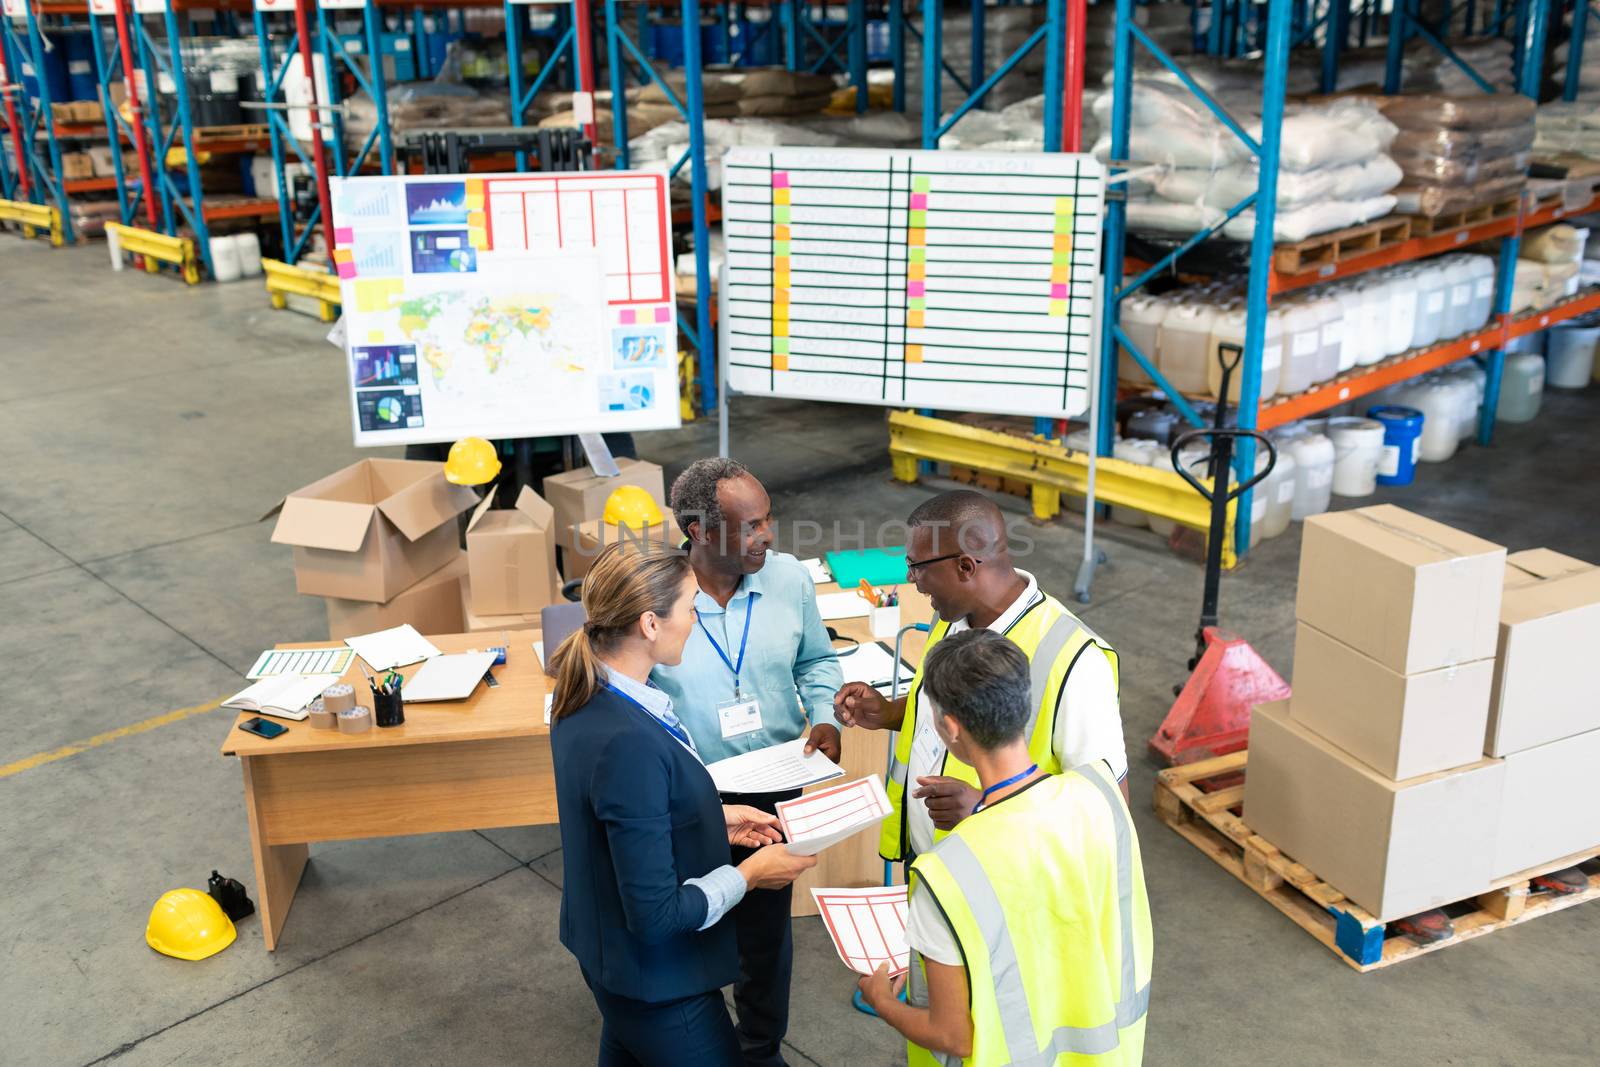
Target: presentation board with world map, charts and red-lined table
506,305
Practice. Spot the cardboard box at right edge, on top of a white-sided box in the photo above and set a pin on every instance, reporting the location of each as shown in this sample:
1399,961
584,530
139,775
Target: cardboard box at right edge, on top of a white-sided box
1548,673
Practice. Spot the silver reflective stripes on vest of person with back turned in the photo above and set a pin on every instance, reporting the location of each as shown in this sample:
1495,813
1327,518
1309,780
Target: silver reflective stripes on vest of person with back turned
1017,1018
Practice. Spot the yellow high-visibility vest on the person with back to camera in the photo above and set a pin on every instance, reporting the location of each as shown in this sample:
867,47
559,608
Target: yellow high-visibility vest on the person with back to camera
1046,895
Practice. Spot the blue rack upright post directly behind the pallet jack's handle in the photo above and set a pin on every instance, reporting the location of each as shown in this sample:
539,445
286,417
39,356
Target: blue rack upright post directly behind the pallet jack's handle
1273,90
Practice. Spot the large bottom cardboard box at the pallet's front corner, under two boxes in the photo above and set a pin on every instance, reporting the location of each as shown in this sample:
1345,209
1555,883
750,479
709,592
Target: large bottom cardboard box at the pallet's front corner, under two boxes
1396,849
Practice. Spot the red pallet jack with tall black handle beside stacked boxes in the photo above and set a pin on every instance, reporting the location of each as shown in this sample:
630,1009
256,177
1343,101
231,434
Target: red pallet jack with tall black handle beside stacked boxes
1212,714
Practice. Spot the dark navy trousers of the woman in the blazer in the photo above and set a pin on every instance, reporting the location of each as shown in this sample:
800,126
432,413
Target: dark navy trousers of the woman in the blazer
689,1031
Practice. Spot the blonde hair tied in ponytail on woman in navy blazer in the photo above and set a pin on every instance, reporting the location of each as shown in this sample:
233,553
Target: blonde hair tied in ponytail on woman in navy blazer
626,581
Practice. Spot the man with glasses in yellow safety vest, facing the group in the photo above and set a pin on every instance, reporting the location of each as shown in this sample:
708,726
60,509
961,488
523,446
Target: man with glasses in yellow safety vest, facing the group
959,557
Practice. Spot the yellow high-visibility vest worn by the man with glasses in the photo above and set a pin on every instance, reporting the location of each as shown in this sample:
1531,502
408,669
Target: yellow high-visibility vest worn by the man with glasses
1054,641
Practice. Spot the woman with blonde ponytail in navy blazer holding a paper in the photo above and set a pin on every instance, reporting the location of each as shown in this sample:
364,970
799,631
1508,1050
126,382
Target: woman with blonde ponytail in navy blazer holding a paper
647,865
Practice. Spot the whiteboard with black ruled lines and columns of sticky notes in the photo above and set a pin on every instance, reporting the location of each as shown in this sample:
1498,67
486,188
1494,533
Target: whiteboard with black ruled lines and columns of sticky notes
956,281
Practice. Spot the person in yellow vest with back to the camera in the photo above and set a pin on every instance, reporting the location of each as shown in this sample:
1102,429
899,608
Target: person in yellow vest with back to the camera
1030,924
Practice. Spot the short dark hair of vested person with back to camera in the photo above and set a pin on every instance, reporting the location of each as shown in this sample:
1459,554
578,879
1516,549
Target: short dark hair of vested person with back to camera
980,679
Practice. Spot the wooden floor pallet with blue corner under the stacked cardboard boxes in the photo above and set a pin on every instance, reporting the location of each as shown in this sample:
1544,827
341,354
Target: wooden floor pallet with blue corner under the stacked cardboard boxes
1199,802
